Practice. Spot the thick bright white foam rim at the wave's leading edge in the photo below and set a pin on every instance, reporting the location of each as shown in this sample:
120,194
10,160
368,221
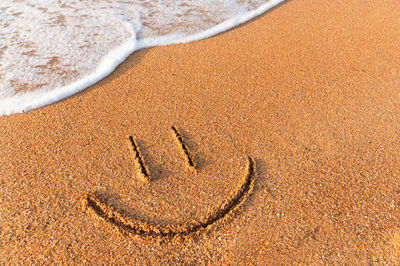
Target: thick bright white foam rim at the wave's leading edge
109,62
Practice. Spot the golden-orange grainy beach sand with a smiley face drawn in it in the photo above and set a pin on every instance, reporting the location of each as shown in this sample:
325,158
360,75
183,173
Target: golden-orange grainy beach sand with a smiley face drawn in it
309,90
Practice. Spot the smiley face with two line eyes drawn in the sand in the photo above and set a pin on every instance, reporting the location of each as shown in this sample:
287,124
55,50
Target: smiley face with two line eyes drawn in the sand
131,227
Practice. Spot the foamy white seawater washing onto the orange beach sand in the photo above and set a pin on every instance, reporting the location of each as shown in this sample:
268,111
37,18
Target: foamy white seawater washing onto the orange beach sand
51,49
